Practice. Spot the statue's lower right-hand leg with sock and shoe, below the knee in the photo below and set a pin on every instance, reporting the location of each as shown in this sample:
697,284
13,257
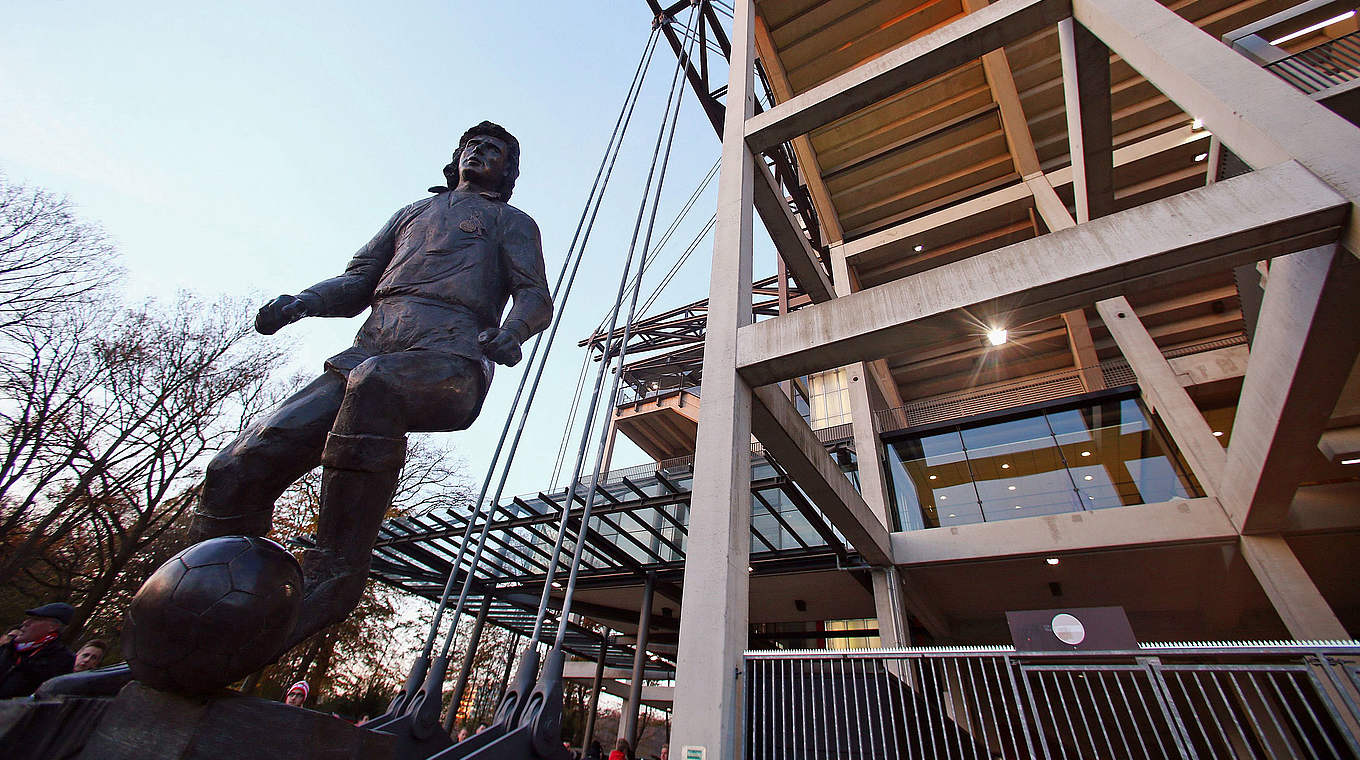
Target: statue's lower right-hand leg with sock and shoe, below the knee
358,482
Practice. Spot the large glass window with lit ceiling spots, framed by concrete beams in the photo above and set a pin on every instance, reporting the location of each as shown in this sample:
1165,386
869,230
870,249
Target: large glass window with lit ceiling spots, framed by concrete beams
1095,456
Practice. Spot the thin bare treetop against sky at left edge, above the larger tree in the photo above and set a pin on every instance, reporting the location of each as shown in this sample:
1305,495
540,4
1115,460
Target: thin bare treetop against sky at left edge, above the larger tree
50,260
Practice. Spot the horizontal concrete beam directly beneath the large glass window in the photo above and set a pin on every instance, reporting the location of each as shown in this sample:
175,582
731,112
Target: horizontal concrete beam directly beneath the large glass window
1193,521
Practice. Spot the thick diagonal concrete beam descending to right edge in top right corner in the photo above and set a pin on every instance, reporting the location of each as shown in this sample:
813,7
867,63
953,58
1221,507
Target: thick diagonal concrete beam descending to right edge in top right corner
1263,119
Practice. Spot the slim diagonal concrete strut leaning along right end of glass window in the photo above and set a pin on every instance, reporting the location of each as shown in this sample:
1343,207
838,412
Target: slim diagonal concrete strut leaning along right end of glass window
1165,394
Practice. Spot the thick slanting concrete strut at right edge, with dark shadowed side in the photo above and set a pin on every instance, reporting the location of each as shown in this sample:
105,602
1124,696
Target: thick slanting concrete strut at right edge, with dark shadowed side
1305,346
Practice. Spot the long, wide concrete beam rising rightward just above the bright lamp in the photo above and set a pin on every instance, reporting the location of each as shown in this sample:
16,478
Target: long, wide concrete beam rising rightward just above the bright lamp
1263,214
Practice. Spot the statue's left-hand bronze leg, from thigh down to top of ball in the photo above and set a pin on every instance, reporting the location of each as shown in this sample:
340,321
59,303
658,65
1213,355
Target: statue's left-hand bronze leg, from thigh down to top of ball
245,479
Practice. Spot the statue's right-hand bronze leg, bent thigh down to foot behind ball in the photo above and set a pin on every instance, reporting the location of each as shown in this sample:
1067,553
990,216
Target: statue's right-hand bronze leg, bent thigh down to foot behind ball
386,398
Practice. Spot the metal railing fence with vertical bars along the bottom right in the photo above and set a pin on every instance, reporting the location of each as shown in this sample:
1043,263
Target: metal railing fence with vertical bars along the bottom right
1187,702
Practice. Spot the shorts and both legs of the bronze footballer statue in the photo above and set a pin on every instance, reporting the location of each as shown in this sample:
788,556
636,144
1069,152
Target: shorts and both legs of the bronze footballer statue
403,375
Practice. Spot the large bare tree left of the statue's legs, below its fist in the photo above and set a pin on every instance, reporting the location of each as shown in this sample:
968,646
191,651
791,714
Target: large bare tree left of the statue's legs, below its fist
160,391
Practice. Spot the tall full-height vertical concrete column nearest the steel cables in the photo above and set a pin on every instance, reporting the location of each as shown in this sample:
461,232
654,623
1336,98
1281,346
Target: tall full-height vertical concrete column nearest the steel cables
715,623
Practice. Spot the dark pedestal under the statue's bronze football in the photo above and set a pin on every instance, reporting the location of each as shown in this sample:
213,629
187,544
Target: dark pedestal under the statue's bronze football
145,724
